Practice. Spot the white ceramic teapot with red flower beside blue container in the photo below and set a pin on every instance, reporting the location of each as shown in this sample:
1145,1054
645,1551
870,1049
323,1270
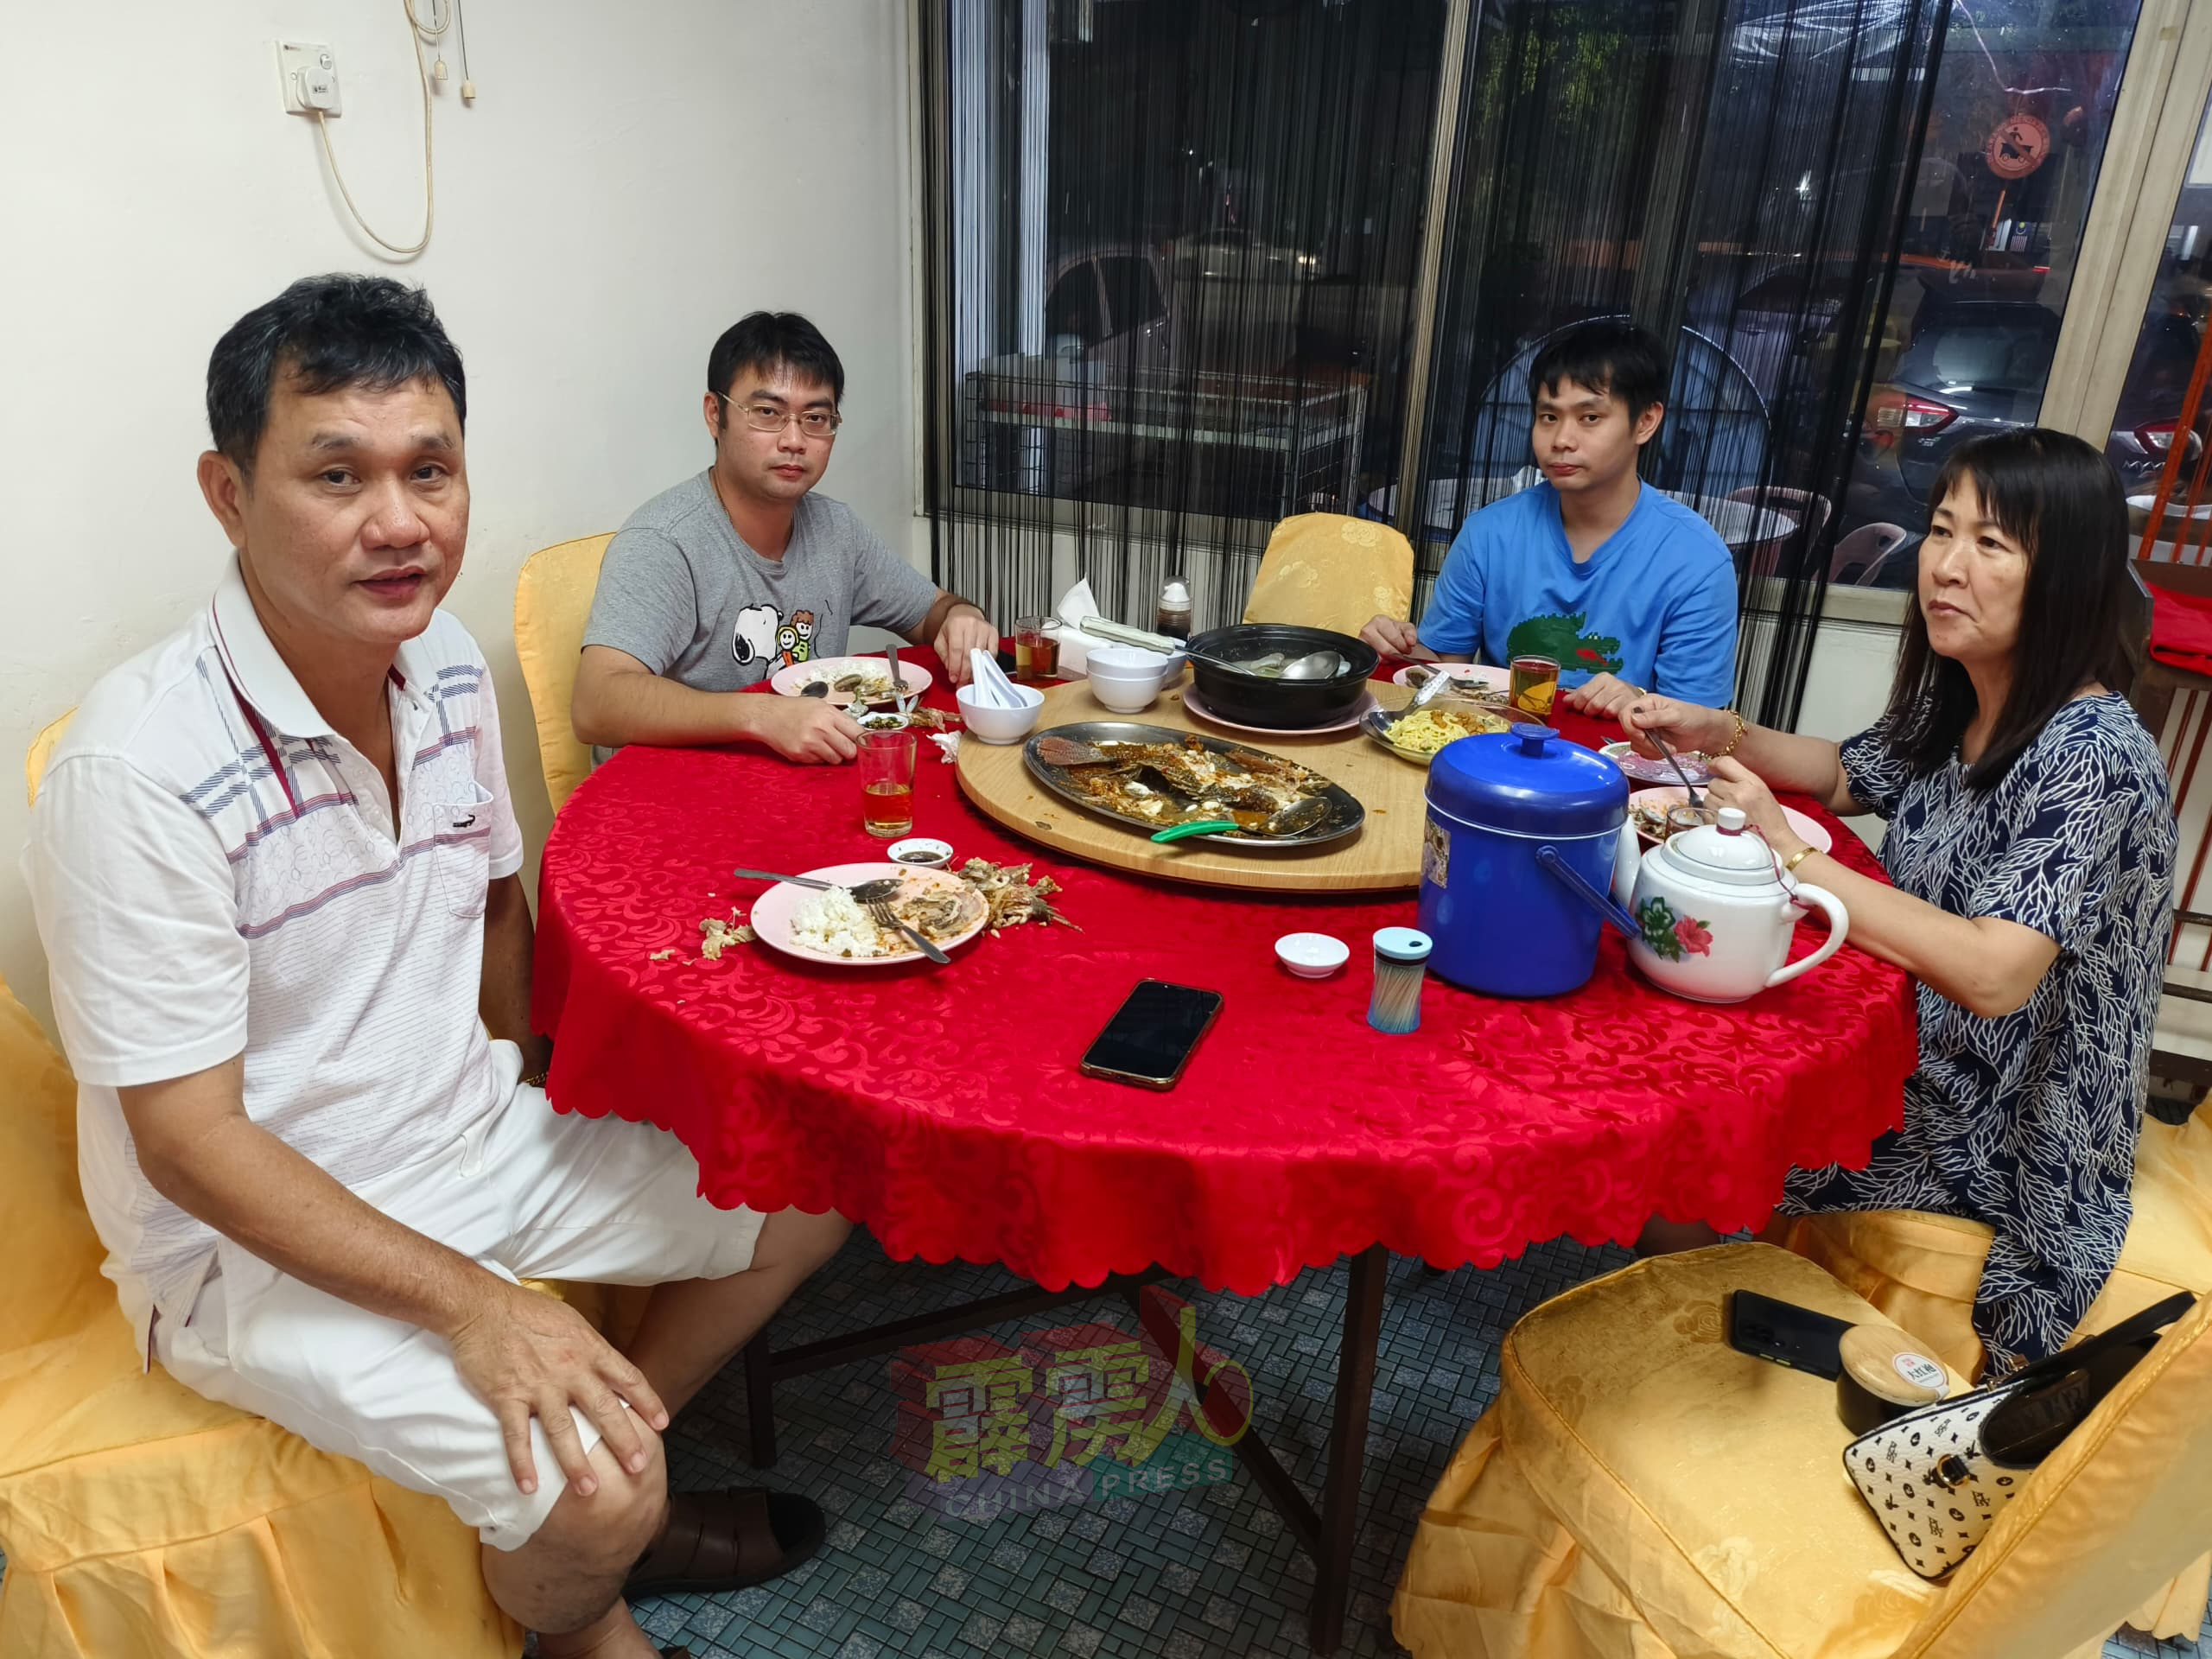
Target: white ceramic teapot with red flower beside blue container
1715,921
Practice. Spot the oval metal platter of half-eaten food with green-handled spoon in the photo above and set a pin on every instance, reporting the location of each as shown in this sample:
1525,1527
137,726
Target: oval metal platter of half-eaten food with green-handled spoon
1154,778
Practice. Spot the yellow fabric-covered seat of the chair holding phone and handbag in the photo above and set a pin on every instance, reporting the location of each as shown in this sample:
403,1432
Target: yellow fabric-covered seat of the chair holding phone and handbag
1645,1492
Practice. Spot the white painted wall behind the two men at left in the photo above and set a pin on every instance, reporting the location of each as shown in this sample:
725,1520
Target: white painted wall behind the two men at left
627,185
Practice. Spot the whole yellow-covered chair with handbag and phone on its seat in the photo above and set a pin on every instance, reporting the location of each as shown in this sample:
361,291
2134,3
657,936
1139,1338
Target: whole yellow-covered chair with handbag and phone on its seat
1645,1492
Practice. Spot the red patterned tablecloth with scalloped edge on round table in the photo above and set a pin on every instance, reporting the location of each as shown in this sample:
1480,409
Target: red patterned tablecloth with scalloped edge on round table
943,1109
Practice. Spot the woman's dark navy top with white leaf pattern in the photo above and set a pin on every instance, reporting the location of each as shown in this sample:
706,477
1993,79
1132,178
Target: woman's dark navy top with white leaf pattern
2027,1123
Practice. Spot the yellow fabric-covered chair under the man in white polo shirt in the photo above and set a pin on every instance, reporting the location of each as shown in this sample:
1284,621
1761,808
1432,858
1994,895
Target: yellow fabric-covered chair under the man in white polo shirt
140,1519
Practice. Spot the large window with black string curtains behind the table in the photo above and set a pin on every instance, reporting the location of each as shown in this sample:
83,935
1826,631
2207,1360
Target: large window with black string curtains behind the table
1204,264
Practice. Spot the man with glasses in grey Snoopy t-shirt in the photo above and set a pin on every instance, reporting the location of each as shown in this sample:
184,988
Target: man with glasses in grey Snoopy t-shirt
740,572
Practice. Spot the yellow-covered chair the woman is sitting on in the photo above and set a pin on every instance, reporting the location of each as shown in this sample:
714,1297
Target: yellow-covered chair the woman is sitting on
1923,1273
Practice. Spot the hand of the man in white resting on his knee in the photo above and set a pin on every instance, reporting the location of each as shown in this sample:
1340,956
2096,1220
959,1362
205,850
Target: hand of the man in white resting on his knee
532,1357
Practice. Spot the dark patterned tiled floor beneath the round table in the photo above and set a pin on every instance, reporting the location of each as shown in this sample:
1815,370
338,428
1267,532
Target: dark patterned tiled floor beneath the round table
1185,1576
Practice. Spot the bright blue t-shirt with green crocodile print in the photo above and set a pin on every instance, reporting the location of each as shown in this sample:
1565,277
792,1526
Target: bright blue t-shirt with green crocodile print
1653,605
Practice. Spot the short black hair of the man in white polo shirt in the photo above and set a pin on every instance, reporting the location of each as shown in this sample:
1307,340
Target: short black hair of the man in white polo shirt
328,333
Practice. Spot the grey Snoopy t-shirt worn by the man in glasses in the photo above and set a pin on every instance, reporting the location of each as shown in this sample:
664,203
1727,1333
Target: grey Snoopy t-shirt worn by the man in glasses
685,596
